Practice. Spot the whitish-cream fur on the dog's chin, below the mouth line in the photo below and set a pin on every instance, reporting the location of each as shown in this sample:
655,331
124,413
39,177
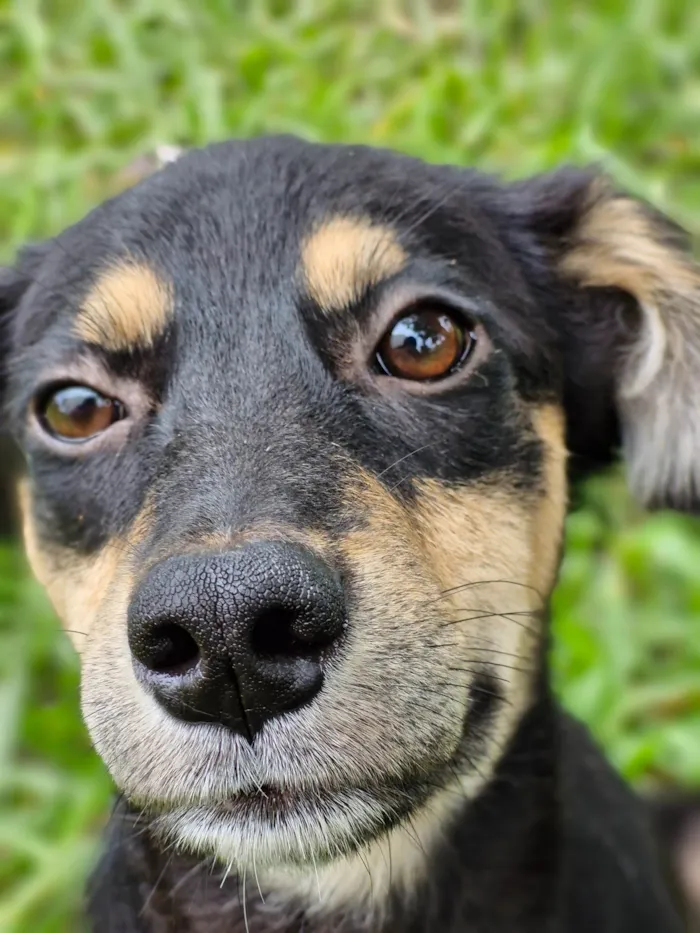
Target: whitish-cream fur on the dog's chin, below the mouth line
309,856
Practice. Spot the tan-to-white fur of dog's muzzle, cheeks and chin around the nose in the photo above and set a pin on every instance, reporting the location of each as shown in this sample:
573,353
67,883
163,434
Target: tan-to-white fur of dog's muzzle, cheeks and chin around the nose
411,645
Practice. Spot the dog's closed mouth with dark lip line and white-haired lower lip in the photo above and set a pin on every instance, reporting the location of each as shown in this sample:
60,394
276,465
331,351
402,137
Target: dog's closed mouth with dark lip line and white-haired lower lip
278,823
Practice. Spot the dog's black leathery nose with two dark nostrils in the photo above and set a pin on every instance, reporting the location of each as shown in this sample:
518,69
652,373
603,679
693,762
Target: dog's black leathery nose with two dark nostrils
238,637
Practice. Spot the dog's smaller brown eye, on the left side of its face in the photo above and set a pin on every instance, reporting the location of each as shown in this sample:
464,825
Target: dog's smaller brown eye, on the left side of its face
76,413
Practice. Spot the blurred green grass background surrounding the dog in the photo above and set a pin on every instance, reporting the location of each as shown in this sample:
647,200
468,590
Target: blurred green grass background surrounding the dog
86,86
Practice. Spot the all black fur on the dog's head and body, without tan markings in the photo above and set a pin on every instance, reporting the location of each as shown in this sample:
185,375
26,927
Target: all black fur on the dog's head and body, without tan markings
251,403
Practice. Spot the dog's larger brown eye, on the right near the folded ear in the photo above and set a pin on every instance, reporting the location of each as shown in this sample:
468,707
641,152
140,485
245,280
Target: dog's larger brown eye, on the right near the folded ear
427,344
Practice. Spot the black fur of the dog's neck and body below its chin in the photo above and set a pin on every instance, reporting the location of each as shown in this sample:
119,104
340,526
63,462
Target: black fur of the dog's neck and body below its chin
555,843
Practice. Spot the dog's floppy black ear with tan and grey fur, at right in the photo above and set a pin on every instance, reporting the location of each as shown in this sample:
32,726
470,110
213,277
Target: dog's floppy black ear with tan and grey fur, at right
627,310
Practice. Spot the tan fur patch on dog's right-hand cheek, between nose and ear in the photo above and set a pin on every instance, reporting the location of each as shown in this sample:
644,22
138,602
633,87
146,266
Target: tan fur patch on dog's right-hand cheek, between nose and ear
461,561
